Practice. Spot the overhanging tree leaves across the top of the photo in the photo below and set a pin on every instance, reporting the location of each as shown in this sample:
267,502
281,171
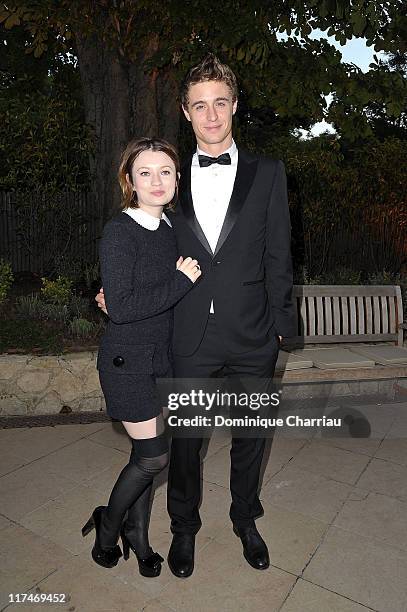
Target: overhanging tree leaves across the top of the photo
268,45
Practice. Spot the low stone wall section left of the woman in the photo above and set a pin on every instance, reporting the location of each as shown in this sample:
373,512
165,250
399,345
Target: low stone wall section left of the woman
44,385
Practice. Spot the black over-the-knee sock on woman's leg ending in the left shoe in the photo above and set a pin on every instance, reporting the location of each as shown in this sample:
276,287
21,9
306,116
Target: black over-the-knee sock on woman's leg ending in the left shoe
148,457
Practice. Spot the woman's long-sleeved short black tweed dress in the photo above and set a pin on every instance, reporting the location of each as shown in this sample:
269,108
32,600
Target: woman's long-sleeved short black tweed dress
141,285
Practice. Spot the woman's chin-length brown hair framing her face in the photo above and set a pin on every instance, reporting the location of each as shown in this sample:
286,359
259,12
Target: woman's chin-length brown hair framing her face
131,152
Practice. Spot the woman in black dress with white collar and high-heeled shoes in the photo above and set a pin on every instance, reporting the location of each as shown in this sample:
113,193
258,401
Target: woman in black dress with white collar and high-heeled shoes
142,281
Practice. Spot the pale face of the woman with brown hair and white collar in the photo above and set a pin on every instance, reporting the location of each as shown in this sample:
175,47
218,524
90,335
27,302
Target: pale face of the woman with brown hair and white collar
154,179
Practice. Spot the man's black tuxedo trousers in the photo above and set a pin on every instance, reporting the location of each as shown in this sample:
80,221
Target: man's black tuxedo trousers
246,454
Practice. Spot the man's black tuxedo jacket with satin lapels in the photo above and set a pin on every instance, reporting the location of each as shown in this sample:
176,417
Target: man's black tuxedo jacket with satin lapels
249,276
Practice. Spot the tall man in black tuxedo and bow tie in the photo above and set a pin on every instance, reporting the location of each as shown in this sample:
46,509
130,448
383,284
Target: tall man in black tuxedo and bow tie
232,217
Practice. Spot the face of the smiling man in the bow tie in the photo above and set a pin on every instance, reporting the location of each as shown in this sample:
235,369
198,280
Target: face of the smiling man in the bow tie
210,111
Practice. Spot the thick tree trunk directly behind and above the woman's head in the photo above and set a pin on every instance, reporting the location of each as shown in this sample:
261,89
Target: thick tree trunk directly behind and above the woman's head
122,101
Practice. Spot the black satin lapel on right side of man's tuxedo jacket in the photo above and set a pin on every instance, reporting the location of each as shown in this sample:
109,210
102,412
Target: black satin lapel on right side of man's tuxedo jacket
245,173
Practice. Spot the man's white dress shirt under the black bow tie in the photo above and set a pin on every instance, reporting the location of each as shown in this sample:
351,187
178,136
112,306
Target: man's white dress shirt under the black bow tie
211,189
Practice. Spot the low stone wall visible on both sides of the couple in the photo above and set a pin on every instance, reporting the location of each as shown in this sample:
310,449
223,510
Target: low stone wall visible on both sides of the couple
33,385
